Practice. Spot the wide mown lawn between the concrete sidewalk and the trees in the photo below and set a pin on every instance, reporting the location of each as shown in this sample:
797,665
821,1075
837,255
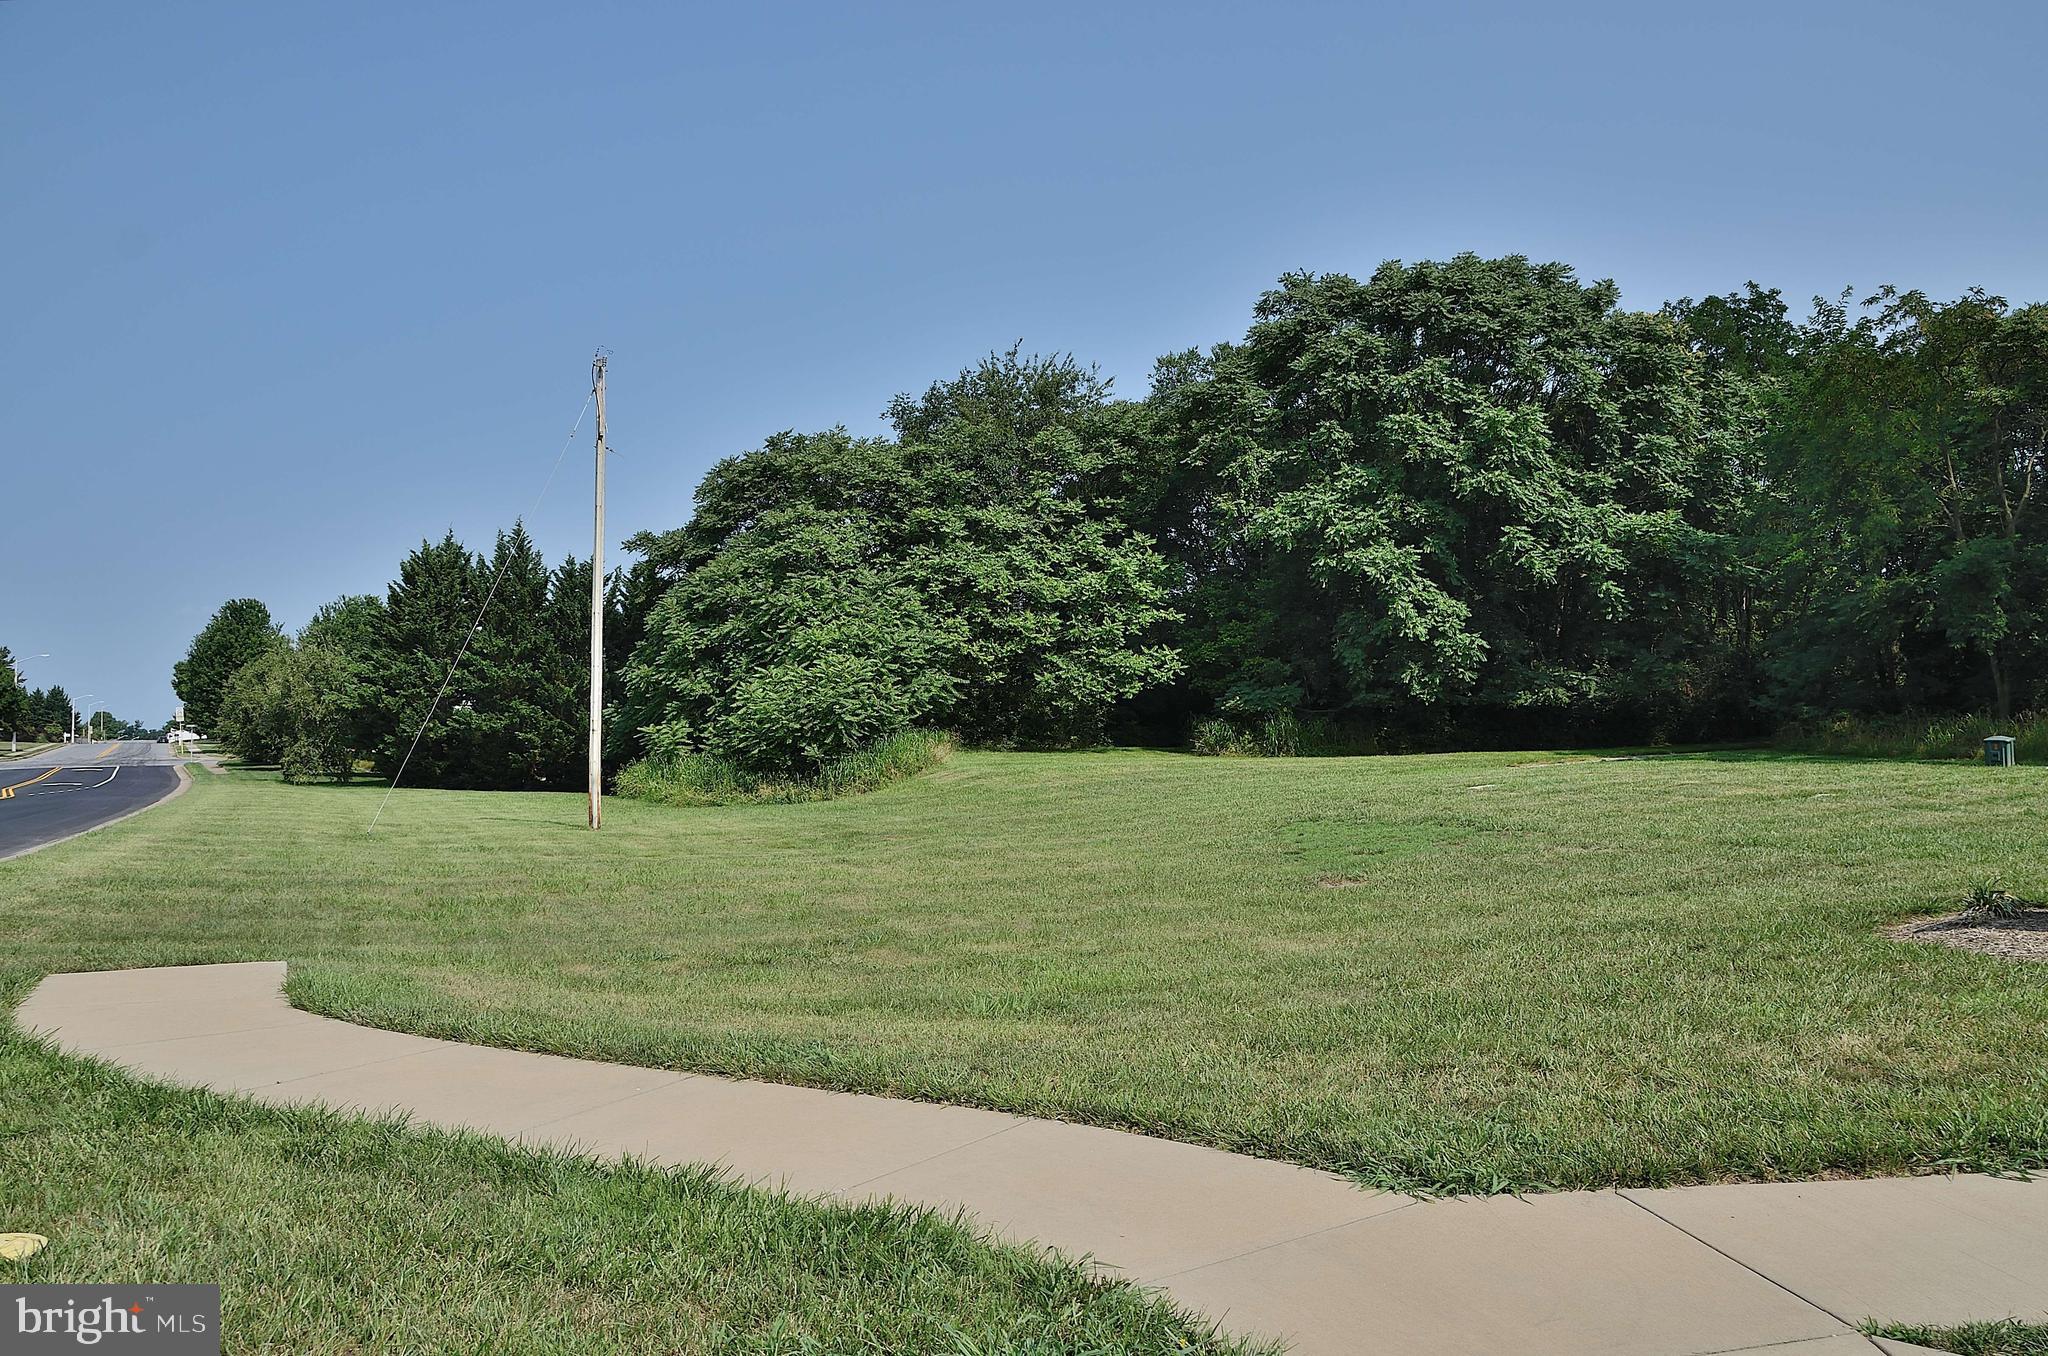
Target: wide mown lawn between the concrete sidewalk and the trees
1449,972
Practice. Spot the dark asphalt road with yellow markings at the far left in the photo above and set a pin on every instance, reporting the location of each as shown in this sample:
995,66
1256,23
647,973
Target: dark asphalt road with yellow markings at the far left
79,788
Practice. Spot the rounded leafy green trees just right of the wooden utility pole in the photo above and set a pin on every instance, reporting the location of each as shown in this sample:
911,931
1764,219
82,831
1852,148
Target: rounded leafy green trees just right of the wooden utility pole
833,591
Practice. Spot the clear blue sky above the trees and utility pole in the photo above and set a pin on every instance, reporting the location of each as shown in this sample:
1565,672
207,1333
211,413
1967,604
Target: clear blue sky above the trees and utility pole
331,276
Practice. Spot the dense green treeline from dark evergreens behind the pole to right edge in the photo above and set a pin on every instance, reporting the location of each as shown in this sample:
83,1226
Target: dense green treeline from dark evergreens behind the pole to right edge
1453,505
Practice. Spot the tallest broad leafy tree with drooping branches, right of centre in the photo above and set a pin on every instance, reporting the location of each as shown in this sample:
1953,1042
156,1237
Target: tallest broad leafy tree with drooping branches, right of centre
1461,484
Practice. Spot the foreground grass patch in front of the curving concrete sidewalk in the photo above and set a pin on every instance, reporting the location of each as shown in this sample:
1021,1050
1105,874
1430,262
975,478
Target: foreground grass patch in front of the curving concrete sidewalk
337,1236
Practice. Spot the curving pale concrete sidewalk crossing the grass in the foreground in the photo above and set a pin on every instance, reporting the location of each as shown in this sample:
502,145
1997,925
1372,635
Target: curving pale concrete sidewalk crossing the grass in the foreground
1263,1246
